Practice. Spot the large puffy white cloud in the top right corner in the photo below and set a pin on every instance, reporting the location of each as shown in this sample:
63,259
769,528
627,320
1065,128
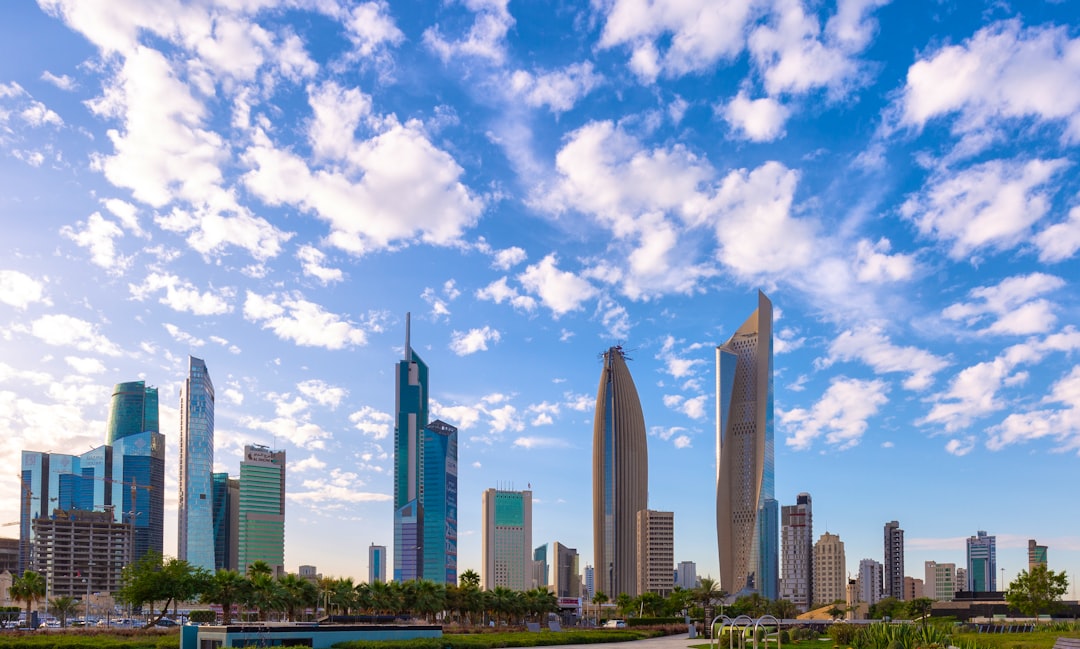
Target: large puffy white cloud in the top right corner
1003,73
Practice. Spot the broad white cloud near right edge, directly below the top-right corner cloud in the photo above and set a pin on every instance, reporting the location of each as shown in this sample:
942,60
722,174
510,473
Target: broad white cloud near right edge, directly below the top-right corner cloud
989,206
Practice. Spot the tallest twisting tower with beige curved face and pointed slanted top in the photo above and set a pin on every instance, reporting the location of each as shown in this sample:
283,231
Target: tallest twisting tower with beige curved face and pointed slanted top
745,456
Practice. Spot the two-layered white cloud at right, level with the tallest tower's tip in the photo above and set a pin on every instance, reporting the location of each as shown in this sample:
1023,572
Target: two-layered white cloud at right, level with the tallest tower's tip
1012,304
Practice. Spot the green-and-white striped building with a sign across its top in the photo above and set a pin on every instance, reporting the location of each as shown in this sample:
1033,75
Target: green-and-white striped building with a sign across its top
261,528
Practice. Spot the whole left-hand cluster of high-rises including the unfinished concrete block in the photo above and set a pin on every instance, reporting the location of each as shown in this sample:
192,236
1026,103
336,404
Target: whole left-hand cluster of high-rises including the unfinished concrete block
85,518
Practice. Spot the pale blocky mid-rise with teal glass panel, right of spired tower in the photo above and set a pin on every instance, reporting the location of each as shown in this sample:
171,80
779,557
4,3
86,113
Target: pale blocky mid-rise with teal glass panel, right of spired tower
507,539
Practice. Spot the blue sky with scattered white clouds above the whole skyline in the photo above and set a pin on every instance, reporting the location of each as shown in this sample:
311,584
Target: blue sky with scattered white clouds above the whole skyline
272,186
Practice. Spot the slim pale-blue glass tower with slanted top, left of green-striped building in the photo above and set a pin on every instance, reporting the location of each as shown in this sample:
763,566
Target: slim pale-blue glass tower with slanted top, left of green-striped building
196,506
